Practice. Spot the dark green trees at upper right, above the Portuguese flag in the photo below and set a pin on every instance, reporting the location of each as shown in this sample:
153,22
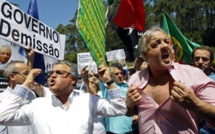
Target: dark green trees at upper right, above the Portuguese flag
193,18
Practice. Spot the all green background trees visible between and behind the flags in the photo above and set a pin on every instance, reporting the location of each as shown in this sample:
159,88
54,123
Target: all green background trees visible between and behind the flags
195,19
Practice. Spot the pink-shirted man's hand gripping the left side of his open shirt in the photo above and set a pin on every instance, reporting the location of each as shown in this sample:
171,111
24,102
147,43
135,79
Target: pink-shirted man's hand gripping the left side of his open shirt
133,96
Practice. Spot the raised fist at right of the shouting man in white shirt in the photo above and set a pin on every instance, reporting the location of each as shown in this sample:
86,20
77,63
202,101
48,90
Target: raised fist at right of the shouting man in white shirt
104,73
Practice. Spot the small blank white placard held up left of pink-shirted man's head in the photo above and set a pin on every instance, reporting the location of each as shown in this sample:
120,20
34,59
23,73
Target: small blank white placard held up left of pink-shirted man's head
115,55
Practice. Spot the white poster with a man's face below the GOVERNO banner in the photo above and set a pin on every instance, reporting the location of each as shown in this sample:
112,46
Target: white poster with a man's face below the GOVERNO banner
8,52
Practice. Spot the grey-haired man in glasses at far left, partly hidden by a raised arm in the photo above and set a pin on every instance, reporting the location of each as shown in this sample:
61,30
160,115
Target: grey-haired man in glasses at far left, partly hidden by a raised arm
16,73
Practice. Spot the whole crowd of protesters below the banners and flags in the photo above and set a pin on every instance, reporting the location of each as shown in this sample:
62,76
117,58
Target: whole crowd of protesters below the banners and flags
156,94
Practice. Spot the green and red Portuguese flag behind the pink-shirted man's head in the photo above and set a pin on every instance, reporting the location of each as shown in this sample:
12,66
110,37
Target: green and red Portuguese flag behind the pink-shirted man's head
182,46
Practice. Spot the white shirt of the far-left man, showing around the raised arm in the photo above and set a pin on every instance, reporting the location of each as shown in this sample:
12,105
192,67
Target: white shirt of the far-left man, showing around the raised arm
16,129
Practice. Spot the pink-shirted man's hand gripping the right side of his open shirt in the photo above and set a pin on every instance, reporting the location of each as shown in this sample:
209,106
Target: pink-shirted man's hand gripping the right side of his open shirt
183,96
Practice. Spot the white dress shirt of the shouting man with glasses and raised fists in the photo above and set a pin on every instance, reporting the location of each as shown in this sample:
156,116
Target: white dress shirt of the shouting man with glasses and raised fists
49,116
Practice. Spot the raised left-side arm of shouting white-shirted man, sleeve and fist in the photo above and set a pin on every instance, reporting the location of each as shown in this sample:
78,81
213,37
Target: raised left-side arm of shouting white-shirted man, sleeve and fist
12,107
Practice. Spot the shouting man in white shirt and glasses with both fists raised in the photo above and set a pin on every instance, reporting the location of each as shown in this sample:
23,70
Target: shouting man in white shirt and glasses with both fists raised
66,110
